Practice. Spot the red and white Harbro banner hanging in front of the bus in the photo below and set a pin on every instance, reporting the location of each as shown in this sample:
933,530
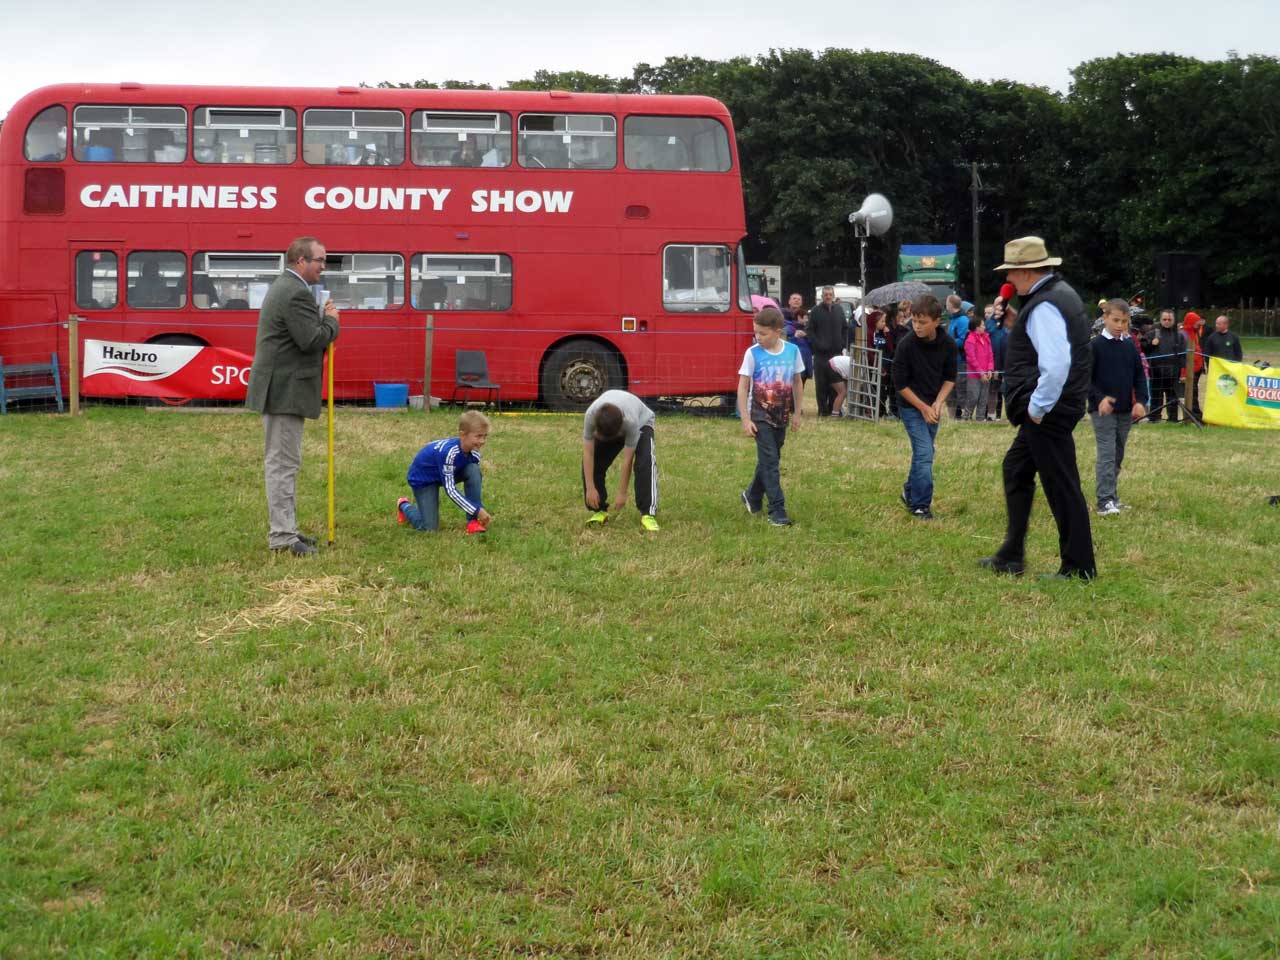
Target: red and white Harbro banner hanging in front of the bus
163,371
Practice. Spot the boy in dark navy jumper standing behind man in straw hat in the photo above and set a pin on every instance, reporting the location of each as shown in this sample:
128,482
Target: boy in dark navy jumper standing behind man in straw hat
1118,394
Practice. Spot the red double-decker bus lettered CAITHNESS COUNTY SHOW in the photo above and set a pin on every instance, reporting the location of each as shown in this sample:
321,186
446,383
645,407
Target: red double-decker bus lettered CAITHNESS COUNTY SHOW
583,241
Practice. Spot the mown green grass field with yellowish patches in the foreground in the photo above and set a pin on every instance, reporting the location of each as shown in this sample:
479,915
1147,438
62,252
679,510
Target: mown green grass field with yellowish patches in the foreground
728,740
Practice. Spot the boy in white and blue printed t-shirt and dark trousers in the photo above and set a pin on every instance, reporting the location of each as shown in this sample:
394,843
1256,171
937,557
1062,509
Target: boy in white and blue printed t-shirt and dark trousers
769,387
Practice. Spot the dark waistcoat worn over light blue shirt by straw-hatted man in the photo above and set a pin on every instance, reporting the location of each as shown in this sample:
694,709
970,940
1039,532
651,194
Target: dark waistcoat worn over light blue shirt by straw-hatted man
1022,362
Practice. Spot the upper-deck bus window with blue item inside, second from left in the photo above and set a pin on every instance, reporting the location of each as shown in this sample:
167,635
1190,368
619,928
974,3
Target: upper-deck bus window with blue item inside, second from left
135,135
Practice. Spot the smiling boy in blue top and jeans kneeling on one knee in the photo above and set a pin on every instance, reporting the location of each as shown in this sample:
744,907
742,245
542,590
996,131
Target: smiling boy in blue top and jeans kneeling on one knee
444,464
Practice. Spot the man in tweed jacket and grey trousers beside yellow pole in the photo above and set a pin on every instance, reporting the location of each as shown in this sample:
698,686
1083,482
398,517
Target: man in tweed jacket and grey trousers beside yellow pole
285,382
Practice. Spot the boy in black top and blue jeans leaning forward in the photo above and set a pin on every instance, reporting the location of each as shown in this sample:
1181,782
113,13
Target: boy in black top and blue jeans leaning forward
925,374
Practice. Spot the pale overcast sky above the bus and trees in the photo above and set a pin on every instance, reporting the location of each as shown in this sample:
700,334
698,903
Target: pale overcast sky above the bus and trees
327,43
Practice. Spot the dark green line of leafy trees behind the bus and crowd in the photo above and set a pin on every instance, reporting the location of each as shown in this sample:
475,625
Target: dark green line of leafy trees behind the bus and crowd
1144,154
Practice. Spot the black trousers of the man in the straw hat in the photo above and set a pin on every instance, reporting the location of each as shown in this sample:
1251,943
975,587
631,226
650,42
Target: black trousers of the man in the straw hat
1048,450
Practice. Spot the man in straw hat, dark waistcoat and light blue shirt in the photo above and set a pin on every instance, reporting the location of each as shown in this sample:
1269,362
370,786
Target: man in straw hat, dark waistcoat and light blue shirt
1048,368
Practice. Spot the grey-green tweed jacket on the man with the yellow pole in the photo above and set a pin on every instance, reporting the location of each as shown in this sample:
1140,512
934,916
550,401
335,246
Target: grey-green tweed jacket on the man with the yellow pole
292,336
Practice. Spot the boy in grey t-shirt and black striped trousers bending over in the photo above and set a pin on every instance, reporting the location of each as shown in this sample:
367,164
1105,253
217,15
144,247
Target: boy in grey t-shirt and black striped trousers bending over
620,423
